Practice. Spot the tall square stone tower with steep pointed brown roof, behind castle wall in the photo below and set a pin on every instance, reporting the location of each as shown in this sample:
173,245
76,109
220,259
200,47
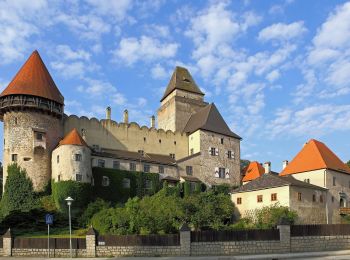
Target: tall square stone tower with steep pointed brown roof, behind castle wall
181,99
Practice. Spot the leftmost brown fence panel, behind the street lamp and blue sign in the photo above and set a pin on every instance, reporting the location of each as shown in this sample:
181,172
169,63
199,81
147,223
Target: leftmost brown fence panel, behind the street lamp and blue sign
55,243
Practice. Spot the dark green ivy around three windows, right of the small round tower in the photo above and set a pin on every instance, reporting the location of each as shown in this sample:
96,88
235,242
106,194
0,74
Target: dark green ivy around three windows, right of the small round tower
115,192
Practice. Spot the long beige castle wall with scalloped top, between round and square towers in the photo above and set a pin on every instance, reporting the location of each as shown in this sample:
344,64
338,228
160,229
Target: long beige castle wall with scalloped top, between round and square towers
131,137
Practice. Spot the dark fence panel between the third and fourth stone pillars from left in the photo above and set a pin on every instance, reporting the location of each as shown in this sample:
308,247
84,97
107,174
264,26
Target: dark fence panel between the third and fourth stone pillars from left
235,235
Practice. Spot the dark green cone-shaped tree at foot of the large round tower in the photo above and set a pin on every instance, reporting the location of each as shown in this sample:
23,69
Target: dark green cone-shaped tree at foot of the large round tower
19,193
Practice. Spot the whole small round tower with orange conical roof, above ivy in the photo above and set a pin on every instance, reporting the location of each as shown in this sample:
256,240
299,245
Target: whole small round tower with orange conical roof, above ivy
71,160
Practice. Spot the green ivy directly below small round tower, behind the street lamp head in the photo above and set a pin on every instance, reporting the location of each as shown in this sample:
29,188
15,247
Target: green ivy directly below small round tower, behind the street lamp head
80,192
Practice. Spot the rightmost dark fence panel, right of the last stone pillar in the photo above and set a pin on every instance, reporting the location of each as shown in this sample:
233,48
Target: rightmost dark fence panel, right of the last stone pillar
320,230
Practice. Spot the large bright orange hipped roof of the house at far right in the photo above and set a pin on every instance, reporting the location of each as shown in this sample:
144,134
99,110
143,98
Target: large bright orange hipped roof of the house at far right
315,155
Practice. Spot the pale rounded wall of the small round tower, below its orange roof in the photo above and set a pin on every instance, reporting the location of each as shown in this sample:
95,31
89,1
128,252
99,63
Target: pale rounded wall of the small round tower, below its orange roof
67,167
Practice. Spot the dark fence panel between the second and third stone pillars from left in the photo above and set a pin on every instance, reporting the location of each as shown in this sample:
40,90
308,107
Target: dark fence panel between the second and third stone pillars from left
139,240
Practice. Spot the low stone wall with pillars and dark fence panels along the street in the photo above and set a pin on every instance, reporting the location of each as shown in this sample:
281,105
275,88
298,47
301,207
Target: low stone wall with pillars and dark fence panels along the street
284,239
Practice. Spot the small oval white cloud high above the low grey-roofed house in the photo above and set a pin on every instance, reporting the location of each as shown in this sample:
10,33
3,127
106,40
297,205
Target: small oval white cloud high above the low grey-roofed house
282,31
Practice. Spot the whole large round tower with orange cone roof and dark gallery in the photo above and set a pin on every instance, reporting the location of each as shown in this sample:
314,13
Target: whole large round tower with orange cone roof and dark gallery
31,108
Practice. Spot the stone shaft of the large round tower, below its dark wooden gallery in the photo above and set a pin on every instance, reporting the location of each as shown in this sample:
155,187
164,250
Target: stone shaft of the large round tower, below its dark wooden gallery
19,138
